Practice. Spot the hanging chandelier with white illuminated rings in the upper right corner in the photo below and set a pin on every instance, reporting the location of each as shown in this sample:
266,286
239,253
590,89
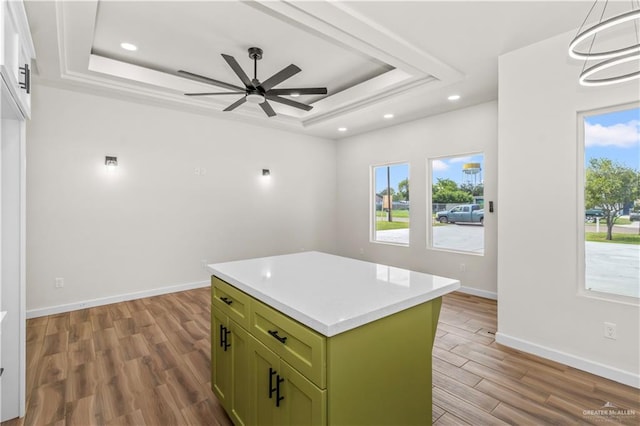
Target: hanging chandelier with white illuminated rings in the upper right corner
612,57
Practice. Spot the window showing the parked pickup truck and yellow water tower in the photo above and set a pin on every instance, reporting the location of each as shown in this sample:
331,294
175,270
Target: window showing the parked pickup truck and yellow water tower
457,197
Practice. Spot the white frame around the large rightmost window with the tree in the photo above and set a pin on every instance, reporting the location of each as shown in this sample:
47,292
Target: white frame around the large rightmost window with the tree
581,262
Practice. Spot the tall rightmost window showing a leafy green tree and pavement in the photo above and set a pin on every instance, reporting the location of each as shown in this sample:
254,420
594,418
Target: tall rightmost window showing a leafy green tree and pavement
610,205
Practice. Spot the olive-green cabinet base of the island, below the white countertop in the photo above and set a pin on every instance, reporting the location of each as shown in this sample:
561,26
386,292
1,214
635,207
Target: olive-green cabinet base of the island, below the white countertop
268,369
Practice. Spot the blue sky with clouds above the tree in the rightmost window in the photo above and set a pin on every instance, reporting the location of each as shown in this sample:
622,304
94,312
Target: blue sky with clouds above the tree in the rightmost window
614,135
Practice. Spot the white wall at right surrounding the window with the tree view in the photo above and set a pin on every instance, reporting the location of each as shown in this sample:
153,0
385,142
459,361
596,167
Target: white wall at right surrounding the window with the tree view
540,309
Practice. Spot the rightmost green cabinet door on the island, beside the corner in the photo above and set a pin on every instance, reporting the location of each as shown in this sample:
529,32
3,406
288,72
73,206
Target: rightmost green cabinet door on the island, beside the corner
304,404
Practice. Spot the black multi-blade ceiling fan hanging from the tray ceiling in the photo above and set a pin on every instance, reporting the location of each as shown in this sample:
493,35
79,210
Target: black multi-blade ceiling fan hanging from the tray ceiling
257,92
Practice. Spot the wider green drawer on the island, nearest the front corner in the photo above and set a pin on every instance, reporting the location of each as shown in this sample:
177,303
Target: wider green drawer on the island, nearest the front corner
301,347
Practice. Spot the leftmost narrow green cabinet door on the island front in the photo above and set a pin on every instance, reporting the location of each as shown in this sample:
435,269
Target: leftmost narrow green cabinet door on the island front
221,375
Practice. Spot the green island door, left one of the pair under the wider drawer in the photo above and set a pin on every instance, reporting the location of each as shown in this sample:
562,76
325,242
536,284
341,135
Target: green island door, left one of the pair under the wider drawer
263,383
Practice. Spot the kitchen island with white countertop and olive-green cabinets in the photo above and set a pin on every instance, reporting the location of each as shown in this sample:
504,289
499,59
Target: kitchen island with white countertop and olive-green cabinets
317,339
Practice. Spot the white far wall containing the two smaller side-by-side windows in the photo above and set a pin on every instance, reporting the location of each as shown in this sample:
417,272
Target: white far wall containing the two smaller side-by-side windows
464,131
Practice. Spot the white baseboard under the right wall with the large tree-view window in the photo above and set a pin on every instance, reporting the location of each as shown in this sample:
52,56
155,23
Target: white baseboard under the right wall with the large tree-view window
602,370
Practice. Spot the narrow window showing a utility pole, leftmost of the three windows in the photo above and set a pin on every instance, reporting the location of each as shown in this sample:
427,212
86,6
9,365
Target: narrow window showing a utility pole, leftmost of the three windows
391,204
